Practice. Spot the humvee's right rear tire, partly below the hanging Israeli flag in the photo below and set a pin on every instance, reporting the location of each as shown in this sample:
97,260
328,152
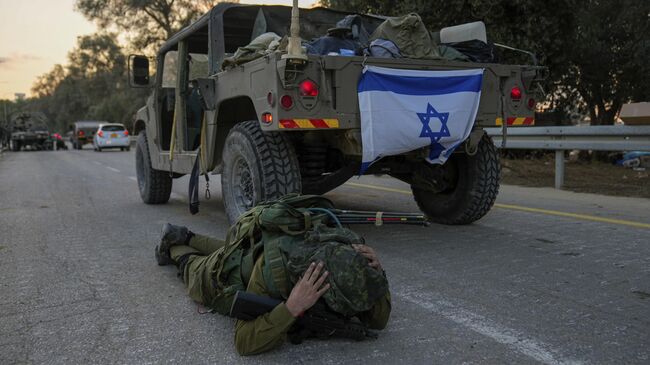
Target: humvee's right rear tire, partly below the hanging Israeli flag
475,187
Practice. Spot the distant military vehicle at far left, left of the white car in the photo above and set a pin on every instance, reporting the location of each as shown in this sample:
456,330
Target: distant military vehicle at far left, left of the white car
28,130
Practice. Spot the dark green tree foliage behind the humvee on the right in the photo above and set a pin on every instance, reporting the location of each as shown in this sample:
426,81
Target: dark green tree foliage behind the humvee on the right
597,51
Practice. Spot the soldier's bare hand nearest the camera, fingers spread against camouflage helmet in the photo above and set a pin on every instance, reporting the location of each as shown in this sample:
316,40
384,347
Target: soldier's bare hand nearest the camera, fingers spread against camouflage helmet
307,290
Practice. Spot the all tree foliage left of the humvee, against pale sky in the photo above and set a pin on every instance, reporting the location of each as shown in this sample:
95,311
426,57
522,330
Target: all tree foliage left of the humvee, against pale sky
93,83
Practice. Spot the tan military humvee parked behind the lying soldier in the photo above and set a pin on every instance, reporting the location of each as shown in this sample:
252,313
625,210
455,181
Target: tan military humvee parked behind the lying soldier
261,157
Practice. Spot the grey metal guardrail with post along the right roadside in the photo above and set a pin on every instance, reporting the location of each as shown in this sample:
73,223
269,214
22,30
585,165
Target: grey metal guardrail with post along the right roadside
560,139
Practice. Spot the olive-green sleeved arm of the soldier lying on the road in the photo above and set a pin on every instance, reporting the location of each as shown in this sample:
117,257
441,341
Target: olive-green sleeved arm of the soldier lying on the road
267,331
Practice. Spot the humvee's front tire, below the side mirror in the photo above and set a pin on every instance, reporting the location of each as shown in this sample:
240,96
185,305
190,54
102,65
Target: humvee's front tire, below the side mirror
155,186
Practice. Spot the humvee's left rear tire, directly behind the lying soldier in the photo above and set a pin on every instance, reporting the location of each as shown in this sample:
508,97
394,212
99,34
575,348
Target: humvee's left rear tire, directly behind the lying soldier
257,166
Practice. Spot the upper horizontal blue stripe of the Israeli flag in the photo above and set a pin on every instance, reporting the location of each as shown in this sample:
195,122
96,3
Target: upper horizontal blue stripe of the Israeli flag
415,85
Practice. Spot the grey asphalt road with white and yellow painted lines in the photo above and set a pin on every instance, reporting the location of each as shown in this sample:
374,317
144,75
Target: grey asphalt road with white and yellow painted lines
546,277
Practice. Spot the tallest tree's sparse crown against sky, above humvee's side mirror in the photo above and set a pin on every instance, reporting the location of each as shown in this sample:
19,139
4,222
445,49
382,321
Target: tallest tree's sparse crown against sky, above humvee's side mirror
147,23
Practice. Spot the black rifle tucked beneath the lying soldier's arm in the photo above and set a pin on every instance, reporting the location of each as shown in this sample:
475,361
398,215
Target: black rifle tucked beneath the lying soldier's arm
319,321
